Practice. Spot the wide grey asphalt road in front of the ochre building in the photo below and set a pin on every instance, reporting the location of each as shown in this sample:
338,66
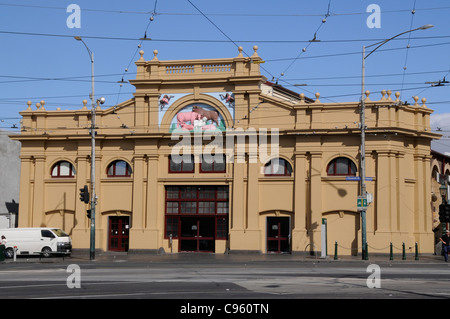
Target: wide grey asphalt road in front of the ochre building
193,279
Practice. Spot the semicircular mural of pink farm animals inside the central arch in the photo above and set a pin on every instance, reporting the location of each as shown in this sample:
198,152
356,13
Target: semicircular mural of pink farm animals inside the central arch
198,117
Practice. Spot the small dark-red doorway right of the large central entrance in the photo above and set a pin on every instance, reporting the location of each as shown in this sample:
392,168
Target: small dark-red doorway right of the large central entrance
278,234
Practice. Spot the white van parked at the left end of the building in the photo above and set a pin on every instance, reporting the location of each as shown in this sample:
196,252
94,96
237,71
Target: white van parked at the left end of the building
30,241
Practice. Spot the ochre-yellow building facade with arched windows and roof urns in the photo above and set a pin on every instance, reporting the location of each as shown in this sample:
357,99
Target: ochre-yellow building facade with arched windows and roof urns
208,156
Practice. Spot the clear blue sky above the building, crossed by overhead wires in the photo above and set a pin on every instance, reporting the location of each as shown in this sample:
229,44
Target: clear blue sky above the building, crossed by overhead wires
40,60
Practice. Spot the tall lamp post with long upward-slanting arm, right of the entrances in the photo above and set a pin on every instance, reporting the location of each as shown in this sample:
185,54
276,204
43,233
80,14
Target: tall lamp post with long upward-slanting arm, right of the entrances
363,191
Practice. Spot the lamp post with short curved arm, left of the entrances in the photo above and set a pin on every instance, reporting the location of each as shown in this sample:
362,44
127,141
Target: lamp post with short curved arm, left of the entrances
93,133
